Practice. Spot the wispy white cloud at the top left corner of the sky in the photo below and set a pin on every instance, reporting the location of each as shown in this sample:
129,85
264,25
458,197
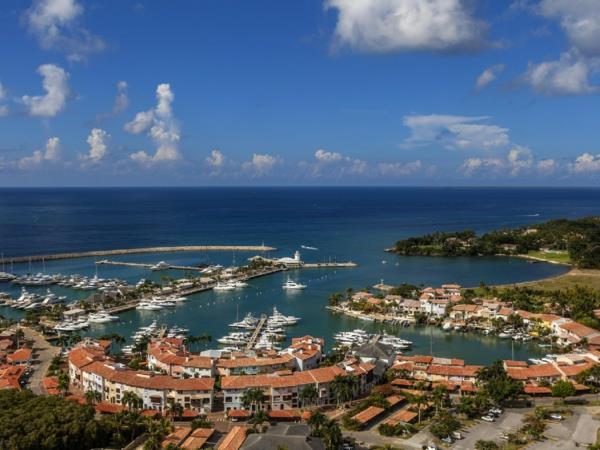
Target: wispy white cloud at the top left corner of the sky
55,24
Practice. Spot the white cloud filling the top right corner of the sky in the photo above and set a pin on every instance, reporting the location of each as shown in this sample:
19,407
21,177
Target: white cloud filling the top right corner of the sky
580,19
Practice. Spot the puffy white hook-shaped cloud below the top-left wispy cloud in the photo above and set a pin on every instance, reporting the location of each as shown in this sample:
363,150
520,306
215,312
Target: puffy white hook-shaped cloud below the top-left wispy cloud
54,81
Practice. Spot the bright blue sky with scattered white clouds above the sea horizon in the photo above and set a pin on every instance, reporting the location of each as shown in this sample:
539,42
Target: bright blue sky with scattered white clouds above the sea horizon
311,92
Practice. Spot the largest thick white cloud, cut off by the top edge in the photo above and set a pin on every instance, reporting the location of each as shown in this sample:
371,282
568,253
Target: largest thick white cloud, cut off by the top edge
406,25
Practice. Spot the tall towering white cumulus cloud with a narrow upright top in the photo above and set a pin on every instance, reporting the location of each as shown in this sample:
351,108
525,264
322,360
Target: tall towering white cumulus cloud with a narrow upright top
161,126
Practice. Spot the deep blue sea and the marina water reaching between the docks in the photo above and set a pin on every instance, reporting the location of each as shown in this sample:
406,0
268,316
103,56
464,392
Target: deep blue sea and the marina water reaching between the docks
344,223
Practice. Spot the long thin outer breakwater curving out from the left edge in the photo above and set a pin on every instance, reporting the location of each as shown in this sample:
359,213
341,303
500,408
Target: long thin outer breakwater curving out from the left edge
131,251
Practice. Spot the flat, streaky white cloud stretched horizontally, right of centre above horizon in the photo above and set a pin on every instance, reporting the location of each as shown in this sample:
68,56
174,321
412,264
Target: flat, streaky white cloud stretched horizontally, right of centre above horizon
454,132
